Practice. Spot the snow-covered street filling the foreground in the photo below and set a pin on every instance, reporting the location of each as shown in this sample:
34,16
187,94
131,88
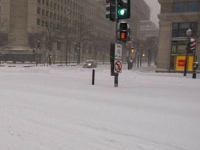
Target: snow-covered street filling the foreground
57,108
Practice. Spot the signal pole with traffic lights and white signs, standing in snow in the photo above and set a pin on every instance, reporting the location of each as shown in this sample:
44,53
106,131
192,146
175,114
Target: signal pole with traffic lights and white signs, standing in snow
116,10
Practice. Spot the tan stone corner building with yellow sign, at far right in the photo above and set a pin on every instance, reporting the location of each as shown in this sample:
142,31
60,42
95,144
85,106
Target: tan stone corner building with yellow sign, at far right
176,17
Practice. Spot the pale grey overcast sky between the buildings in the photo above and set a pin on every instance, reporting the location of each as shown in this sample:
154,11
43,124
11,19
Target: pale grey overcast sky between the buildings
155,9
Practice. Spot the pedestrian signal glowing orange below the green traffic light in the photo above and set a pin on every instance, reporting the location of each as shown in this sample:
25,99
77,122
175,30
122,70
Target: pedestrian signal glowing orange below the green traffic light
123,32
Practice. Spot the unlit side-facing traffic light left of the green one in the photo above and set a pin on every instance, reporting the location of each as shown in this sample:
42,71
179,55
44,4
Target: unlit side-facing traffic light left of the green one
110,9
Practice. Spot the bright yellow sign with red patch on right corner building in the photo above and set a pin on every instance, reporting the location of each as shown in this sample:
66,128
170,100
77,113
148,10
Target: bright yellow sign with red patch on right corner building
180,63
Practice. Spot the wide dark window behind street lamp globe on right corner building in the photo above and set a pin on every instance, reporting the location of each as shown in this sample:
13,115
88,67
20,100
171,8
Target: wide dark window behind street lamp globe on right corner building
179,29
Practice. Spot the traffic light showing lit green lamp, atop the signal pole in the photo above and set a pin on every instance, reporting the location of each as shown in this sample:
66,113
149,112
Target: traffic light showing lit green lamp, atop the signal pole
123,9
